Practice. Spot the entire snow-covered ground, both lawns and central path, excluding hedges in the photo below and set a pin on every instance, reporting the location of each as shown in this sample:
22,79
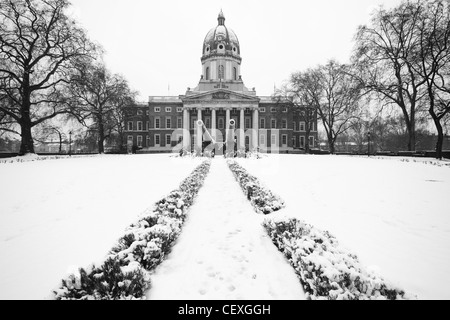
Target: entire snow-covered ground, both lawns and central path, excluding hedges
56,215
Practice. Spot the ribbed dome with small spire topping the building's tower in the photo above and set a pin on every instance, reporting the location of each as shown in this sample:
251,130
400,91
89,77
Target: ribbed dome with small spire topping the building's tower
221,40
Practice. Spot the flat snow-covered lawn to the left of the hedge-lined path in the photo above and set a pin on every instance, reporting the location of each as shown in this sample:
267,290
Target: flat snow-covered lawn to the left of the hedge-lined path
57,215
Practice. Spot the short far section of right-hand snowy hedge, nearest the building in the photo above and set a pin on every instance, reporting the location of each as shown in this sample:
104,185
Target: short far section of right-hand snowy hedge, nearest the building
262,199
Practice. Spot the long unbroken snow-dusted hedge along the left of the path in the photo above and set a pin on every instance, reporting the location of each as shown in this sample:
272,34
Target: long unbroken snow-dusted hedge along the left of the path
145,244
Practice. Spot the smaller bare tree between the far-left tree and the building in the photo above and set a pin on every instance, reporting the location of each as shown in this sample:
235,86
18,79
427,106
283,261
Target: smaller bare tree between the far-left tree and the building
100,97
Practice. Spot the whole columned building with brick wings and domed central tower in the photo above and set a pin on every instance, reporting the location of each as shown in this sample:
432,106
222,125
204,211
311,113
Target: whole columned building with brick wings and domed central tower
169,123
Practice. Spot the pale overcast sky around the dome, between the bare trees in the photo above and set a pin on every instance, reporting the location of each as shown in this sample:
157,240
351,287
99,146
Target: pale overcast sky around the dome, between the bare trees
157,44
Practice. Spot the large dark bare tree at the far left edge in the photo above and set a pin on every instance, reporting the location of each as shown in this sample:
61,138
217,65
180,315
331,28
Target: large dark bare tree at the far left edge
38,47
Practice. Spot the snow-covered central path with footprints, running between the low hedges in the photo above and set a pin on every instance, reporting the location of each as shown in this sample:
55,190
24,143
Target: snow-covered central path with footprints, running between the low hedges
223,251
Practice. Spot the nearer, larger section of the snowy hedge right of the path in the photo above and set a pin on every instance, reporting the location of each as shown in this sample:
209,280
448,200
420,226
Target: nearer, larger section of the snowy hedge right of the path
326,271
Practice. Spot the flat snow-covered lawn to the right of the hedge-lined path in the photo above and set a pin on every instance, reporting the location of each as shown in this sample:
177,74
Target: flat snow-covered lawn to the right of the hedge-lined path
392,212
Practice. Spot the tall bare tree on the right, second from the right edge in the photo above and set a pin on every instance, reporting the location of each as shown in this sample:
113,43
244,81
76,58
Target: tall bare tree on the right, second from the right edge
385,61
